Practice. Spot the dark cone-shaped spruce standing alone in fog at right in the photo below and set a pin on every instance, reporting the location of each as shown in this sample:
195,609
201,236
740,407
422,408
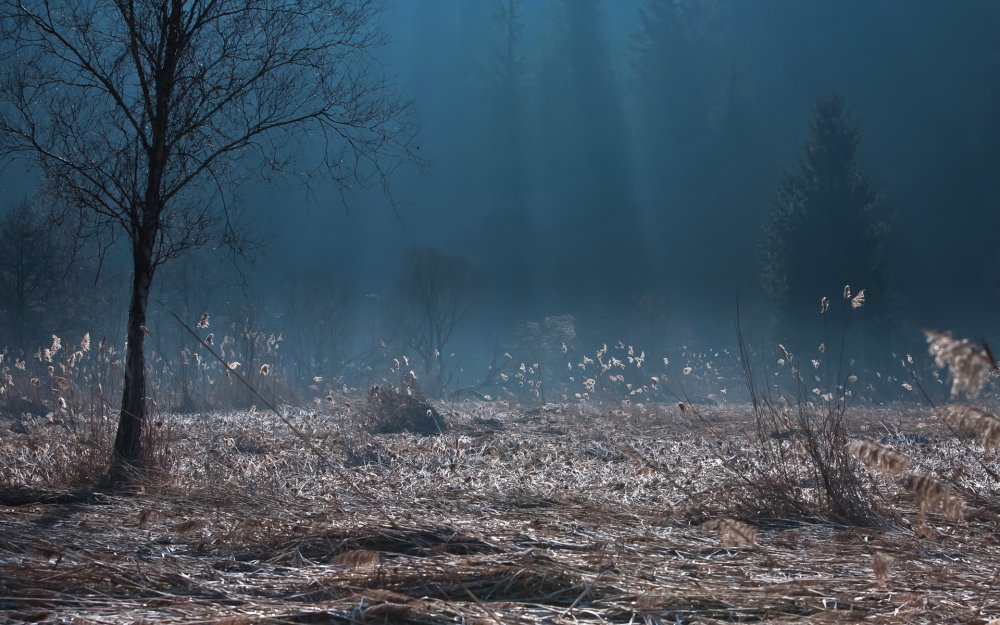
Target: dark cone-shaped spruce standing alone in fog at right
827,227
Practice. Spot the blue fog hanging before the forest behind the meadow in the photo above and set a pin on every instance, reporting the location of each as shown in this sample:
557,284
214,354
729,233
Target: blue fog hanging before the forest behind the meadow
620,162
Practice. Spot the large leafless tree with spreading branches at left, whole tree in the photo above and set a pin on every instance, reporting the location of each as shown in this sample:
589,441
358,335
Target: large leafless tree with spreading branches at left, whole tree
148,114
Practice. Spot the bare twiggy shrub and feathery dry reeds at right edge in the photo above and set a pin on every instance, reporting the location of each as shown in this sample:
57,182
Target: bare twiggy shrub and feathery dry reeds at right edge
813,454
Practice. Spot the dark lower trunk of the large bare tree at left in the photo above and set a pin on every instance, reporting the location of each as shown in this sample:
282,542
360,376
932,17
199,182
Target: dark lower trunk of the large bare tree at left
127,457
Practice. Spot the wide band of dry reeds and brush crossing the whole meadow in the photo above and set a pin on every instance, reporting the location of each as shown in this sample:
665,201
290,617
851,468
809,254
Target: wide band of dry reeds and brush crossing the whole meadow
803,447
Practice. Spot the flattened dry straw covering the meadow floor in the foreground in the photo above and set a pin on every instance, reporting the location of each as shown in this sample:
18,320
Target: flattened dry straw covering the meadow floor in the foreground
552,515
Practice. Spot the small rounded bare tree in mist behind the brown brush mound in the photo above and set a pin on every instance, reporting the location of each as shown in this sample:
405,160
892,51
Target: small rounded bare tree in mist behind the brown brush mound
435,293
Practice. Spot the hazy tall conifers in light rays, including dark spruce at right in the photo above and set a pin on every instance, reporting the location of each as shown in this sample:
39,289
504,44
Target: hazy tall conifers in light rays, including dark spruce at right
661,165
